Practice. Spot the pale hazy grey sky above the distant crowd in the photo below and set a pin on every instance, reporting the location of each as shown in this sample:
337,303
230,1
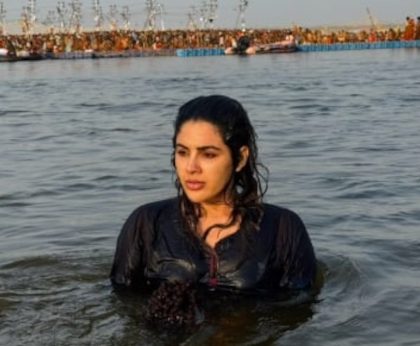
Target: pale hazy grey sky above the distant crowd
259,14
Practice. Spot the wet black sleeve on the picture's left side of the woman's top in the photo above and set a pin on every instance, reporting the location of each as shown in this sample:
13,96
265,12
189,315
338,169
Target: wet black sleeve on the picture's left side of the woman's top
129,259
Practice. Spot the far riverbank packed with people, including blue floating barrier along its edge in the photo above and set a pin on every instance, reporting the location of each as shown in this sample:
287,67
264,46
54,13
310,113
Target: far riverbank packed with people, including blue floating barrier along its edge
131,43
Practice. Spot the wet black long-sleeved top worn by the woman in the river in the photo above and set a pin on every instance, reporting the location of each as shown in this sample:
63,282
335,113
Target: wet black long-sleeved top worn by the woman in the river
153,246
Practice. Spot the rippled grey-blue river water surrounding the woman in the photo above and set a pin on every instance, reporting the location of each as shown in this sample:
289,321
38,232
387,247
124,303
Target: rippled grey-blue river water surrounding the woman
84,142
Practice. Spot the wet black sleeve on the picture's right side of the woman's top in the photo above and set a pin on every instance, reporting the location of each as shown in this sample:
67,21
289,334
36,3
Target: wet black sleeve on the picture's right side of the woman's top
294,254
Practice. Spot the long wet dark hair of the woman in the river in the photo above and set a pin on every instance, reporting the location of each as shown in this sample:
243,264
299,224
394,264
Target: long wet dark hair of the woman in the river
248,185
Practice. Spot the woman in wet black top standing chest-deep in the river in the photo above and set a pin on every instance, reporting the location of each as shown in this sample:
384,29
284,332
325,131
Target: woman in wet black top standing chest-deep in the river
217,232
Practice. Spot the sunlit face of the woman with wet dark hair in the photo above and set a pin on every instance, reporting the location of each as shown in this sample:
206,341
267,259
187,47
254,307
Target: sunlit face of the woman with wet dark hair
203,162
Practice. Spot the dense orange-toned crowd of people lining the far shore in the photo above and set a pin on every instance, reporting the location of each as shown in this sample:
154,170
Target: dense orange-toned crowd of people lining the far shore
123,40
